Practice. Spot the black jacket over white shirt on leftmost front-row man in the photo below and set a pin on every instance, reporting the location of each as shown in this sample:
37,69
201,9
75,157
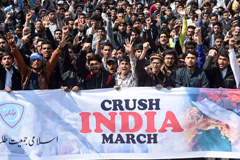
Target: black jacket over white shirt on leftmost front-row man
16,79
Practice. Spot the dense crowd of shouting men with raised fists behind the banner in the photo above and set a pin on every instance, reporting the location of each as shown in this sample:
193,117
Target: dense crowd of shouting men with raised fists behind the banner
89,44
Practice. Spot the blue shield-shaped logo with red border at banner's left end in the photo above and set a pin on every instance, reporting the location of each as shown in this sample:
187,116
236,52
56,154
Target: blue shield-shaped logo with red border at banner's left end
11,114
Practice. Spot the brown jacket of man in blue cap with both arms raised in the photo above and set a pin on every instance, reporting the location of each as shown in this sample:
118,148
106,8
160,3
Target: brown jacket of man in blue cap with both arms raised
43,75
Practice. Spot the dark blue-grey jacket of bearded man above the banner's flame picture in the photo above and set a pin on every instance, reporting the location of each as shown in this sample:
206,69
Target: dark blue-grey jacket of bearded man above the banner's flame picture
187,79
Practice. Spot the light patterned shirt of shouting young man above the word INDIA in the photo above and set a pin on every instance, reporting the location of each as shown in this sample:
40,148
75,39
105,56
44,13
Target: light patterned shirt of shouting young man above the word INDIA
131,79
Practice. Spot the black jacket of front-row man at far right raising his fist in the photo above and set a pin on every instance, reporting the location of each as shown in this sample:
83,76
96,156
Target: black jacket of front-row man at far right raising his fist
215,76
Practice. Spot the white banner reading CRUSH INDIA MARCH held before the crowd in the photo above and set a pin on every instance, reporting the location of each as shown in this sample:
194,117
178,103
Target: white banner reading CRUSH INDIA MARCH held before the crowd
139,123
